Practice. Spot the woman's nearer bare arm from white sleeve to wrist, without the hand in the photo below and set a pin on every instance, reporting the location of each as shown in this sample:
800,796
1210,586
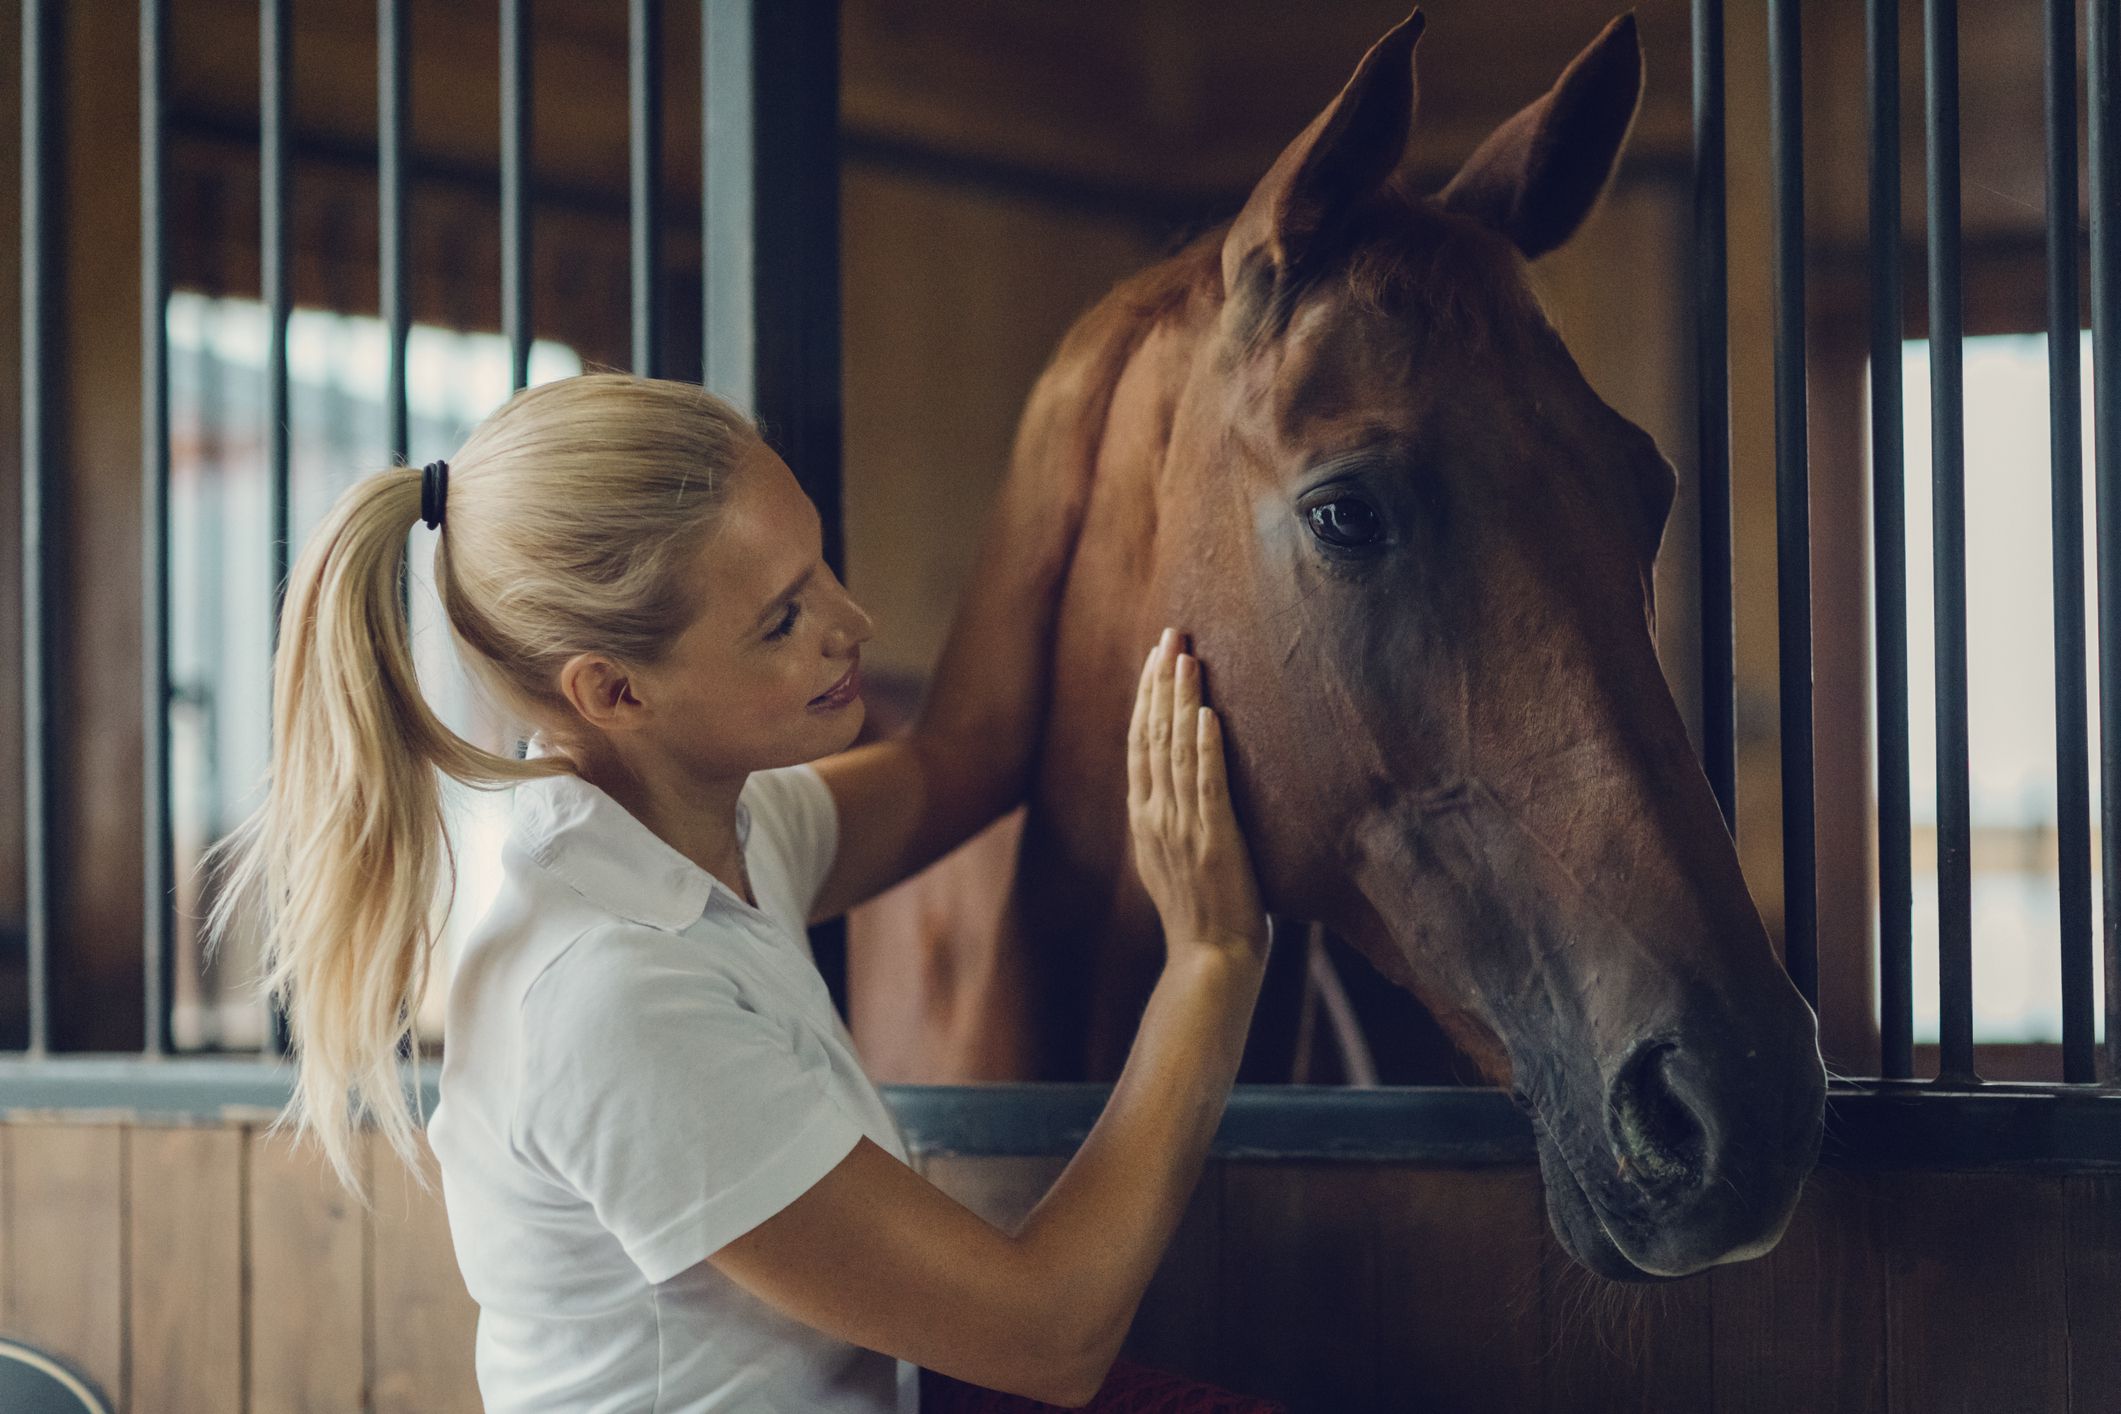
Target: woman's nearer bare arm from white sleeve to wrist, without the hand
881,1258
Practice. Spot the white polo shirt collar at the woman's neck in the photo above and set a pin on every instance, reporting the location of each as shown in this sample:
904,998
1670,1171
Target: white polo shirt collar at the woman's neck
608,855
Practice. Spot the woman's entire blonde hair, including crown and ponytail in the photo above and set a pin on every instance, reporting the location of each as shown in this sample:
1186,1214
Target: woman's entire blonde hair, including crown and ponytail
574,514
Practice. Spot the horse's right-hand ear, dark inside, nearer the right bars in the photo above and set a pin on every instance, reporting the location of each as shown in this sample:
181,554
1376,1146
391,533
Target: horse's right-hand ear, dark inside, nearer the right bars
1539,175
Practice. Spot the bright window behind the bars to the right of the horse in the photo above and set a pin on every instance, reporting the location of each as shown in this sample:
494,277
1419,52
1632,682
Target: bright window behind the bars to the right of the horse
2010,688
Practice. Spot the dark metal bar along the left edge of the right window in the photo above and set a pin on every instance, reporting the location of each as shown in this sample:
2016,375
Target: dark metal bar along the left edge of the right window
1889,552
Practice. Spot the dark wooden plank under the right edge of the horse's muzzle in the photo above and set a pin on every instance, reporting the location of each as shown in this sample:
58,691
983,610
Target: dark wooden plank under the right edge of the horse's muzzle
1804,1328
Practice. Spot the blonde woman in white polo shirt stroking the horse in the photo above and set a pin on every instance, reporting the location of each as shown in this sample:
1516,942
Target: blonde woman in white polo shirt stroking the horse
669,1182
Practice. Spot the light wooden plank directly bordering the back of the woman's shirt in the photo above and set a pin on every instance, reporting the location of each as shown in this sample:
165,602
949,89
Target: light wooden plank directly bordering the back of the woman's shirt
425,1320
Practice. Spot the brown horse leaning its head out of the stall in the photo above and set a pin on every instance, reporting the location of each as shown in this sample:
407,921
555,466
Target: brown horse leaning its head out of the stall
1344,448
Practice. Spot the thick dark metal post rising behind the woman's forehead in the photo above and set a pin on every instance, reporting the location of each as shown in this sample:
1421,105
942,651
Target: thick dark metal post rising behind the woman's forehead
771,226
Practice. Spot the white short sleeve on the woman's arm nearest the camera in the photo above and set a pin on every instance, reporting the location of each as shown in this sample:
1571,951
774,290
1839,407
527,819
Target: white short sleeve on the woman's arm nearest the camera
678,1112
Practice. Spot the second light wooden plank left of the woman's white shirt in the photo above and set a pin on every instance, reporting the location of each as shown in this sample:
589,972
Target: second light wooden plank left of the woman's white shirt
309,1339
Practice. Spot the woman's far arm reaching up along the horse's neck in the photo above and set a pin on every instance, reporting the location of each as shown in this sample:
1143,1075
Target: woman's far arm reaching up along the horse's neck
911,800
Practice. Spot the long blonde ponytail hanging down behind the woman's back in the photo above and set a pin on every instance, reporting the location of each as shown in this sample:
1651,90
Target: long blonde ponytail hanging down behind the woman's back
343,860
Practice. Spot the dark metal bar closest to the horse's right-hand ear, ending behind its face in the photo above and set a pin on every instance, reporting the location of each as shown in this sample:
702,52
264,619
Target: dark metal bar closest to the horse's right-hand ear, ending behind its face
1713,402
